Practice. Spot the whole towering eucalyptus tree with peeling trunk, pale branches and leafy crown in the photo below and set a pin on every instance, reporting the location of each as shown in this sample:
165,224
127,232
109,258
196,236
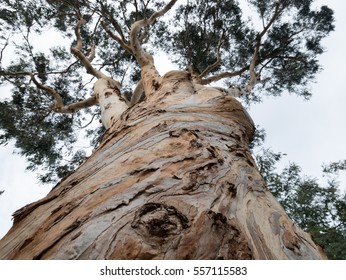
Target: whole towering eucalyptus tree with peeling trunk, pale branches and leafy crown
172,176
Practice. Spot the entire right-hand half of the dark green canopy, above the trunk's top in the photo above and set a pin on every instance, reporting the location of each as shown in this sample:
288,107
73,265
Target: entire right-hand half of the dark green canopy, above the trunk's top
287,58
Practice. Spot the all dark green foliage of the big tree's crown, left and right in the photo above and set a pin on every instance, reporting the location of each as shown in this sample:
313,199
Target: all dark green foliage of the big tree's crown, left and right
212,38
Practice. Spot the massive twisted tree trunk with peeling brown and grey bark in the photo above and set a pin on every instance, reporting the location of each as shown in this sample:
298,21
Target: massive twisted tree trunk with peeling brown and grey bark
172,179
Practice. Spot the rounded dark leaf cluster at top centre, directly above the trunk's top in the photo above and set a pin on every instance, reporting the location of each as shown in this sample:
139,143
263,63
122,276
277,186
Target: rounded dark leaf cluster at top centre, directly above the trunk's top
200,26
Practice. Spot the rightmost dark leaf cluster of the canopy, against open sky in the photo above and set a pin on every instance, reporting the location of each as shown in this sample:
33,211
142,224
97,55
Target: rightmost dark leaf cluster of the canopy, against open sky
292,48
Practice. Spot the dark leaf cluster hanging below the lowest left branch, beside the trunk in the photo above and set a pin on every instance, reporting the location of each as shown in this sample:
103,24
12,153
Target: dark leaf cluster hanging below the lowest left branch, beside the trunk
40,135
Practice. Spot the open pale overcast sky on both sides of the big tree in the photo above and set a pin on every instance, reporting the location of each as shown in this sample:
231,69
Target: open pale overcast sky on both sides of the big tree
309,132
